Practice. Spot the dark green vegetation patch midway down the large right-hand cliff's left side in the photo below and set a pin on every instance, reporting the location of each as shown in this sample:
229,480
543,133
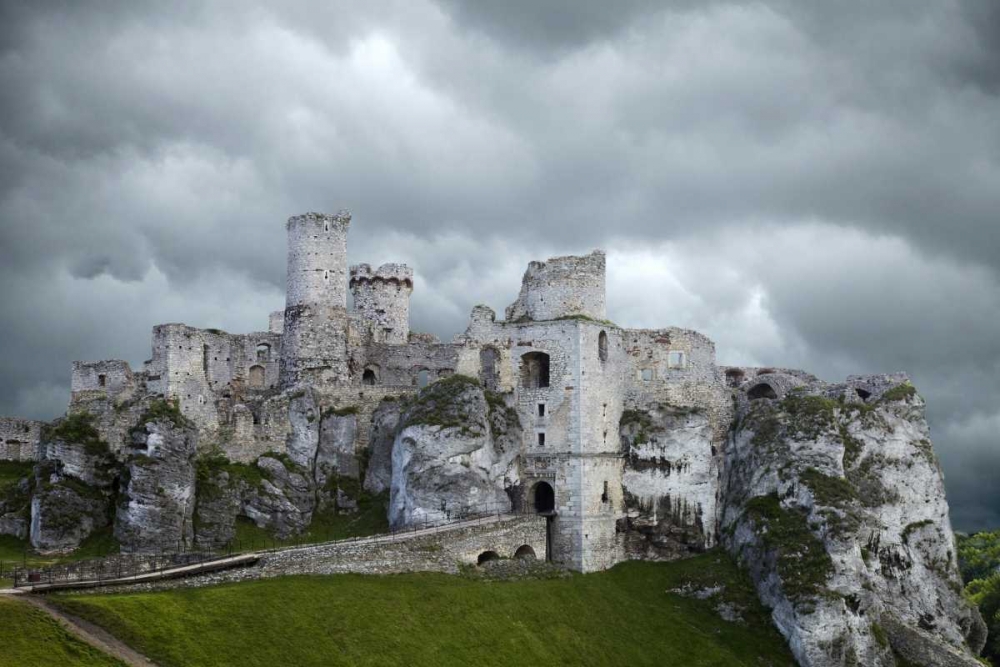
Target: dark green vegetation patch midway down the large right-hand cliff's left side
802,561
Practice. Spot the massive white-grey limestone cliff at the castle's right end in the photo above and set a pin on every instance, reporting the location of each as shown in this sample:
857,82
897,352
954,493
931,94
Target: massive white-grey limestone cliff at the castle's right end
834,502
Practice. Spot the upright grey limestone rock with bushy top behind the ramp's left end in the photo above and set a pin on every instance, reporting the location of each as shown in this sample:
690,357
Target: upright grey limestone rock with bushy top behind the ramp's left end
158,494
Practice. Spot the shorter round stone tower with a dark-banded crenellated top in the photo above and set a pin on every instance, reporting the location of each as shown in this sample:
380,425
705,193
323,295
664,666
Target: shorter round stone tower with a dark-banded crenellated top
382,298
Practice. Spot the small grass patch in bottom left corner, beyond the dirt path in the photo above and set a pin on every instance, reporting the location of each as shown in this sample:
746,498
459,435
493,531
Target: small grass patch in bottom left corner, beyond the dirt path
29,636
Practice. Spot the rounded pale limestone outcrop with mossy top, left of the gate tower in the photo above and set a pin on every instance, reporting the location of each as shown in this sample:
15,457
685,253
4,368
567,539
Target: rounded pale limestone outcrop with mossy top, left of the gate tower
455,453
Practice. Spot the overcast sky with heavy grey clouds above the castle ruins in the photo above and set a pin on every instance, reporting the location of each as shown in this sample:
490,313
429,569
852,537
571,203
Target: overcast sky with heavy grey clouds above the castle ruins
812,184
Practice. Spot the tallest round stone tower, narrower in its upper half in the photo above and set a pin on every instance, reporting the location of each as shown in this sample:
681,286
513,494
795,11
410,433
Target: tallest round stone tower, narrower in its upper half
314,346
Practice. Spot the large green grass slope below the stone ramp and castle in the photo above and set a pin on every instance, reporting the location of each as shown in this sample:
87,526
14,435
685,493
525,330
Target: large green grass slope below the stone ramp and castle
625,616
